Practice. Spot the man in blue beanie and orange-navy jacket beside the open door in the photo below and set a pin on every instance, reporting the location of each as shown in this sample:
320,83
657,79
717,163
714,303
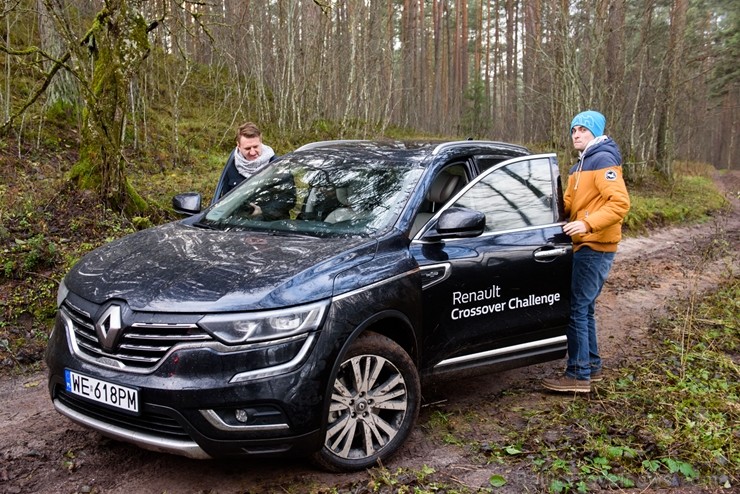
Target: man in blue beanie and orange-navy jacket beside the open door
596,202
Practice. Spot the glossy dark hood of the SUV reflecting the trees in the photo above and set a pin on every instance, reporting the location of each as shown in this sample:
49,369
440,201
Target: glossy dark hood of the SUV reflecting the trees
180,268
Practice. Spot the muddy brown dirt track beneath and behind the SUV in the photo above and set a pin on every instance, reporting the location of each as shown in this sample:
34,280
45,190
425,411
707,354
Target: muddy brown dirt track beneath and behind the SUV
43,452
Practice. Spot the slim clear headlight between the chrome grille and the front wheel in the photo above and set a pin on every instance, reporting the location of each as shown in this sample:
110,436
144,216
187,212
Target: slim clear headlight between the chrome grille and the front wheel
250,327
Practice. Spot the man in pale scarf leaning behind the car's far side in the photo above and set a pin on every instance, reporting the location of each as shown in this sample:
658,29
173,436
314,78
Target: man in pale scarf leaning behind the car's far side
250,157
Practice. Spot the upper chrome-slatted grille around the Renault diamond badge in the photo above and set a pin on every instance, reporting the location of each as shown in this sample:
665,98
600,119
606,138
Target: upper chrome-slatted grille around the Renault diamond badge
141,346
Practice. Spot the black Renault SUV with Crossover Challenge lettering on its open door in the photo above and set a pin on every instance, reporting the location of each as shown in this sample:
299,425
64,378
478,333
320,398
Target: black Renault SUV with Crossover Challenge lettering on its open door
299,314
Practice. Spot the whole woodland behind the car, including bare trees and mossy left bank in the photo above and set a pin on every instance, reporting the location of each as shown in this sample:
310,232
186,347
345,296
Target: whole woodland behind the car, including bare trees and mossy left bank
109,107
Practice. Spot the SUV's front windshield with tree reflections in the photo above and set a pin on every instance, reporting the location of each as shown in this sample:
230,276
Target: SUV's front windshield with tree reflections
322,196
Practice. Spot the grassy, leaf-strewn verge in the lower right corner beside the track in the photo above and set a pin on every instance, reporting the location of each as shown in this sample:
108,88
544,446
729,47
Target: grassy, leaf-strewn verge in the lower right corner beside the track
664,422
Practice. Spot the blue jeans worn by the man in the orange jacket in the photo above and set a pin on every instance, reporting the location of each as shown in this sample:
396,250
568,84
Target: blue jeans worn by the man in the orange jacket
590,269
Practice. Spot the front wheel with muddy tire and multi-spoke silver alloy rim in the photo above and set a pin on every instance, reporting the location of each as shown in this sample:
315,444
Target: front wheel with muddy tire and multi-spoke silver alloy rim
374,404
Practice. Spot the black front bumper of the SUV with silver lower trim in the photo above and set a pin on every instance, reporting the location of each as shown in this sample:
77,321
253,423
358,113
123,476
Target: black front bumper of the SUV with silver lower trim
189,403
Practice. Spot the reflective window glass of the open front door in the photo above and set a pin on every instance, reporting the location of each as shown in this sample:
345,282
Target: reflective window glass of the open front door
517,195
